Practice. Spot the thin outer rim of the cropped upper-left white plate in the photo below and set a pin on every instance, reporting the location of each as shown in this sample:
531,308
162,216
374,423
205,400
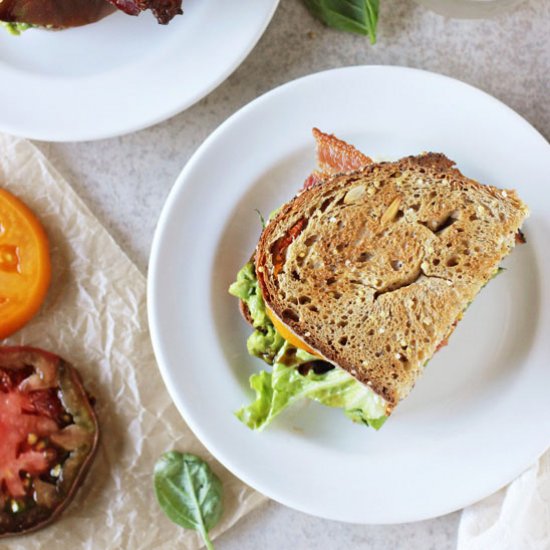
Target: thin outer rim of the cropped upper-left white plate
87,134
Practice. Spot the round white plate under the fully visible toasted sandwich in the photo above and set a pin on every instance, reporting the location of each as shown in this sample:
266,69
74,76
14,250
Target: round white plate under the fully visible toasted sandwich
479,415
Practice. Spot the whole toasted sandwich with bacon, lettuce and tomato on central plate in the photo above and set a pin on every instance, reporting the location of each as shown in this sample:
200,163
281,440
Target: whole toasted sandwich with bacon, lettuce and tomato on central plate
362,277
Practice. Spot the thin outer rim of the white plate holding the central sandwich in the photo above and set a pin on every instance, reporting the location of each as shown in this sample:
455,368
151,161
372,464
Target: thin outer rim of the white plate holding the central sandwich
182,183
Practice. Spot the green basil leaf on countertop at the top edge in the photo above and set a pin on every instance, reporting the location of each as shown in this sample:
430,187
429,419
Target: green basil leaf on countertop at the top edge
358,16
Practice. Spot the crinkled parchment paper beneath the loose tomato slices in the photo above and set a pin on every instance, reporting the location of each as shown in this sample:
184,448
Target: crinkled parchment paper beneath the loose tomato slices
95,317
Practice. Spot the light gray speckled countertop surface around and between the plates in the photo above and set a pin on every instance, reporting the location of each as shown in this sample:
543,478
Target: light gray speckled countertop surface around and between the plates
126,180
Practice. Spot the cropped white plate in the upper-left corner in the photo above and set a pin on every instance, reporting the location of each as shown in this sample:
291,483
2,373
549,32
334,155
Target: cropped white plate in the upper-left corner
123,73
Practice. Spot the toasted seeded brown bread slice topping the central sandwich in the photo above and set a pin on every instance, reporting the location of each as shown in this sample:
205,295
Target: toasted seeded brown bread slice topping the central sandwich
373,269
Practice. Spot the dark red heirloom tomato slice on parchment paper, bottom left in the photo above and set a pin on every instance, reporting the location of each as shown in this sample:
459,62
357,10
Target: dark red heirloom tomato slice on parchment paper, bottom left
48,437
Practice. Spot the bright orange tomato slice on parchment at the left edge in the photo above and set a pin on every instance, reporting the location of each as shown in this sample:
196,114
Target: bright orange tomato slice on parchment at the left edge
25,268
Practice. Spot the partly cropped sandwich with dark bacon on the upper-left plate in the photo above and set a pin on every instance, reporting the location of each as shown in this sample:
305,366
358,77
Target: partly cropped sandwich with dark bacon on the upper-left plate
19,15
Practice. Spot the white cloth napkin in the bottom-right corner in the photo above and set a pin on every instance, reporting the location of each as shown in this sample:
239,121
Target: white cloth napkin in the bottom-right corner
515,518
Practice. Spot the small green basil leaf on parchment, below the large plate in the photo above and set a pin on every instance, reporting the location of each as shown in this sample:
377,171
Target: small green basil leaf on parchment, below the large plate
188,492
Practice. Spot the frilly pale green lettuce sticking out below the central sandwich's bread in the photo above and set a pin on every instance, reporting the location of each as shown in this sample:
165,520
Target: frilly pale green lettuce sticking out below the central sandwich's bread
280,389
